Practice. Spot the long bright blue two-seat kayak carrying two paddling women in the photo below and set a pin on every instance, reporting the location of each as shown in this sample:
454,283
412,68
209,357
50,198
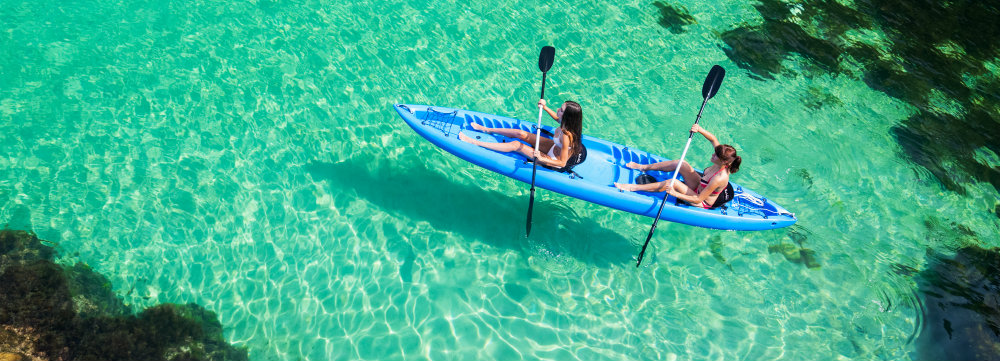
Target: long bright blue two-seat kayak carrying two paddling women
594,178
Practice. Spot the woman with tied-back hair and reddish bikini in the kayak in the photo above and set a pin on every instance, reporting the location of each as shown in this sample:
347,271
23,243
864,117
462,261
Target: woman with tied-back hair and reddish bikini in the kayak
697,190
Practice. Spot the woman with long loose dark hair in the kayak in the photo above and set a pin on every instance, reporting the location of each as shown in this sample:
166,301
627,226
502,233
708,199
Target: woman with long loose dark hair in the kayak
558,150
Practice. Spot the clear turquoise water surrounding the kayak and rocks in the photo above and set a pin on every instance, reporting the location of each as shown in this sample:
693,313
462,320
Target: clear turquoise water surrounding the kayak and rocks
245,156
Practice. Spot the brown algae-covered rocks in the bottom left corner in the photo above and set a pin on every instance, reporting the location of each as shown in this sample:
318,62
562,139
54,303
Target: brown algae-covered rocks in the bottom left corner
50,311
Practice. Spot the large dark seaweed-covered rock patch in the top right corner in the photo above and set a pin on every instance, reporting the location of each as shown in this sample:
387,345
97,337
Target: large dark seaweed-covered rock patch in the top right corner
939,57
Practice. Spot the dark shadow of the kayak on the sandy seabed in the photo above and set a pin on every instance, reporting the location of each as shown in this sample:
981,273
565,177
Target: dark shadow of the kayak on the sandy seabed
418,193
